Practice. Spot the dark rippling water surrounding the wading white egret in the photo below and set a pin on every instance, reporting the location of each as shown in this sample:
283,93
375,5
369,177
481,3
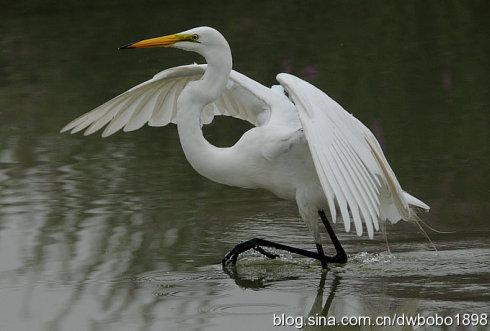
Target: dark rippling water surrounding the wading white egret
122,234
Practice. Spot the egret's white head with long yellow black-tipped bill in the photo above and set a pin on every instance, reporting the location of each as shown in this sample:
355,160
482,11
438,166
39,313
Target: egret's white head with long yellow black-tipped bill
199,40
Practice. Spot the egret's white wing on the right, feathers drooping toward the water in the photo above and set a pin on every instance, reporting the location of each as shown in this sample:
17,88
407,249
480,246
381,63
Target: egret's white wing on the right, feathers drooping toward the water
353,171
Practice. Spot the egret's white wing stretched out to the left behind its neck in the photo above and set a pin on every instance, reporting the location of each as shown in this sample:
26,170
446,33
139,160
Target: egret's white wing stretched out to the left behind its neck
155,102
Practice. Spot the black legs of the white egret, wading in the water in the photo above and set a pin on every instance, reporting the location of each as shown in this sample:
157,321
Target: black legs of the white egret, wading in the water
258,244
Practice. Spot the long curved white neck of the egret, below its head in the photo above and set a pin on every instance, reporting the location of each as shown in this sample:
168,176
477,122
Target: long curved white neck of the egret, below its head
208,160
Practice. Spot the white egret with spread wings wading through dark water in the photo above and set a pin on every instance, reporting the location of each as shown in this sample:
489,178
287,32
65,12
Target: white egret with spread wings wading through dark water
303,146
